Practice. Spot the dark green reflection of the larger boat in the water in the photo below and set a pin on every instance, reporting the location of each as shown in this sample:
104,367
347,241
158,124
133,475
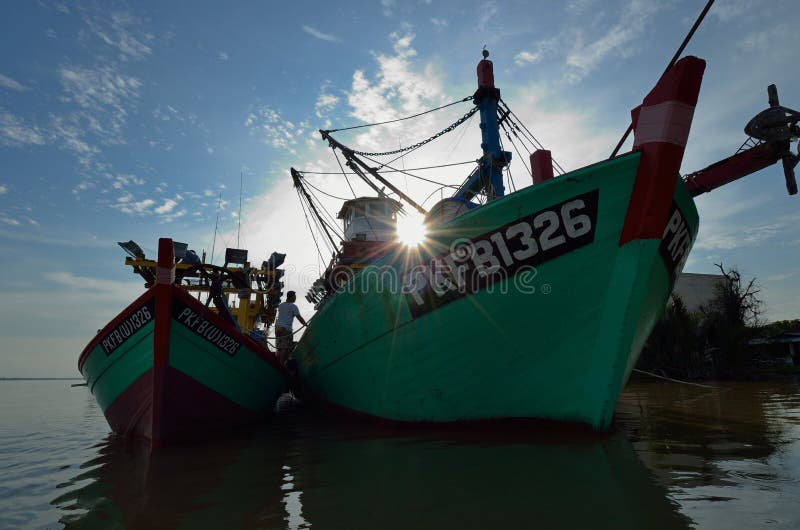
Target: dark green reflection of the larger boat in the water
355,479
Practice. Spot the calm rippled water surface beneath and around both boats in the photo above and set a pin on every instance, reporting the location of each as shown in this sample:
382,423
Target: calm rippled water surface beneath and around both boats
680,457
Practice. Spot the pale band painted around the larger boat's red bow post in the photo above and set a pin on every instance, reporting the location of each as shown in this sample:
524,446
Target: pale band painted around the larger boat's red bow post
666,122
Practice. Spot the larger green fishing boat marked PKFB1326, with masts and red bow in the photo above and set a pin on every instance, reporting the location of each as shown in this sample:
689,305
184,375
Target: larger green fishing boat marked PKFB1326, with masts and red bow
532,305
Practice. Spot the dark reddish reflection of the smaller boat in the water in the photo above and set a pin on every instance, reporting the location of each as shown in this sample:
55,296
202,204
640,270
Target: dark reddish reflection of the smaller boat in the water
230,483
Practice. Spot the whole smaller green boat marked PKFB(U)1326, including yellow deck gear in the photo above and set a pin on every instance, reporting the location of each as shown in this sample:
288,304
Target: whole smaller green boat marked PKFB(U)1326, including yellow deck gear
170,368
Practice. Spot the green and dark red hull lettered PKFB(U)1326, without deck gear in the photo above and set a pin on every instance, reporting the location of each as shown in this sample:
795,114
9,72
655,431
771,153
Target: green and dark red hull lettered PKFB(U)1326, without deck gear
167,368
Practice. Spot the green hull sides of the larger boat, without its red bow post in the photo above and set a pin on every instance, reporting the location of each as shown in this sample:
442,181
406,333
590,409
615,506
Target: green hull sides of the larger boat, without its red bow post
555,341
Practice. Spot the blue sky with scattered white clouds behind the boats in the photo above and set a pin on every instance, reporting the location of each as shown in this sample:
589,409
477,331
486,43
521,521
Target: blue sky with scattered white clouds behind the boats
126,120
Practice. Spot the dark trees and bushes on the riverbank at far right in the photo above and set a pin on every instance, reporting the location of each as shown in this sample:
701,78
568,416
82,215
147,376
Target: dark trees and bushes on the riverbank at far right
725,339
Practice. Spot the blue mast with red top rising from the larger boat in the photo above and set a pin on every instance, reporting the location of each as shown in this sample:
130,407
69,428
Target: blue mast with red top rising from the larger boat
489,177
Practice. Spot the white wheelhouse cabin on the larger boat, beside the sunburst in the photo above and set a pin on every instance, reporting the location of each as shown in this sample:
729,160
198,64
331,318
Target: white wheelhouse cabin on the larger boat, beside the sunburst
370,219
